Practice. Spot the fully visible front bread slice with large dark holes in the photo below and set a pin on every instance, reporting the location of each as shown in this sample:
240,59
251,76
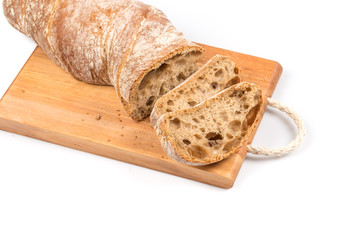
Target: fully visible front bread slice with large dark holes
214,129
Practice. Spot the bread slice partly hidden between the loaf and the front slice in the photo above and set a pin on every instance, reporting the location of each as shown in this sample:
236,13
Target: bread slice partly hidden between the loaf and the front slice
216,75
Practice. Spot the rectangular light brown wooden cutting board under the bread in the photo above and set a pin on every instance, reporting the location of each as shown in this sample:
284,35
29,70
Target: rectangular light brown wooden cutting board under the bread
46,103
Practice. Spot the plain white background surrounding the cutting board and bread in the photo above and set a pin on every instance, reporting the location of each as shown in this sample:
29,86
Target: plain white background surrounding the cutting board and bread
52,192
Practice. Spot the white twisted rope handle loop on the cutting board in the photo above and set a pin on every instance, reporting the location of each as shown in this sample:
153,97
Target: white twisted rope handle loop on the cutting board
291,146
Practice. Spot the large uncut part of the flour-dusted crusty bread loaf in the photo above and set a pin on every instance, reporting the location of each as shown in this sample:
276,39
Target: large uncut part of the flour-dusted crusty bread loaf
124,43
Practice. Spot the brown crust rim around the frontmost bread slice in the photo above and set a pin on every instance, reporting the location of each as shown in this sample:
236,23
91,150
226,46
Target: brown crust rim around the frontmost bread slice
176,153
